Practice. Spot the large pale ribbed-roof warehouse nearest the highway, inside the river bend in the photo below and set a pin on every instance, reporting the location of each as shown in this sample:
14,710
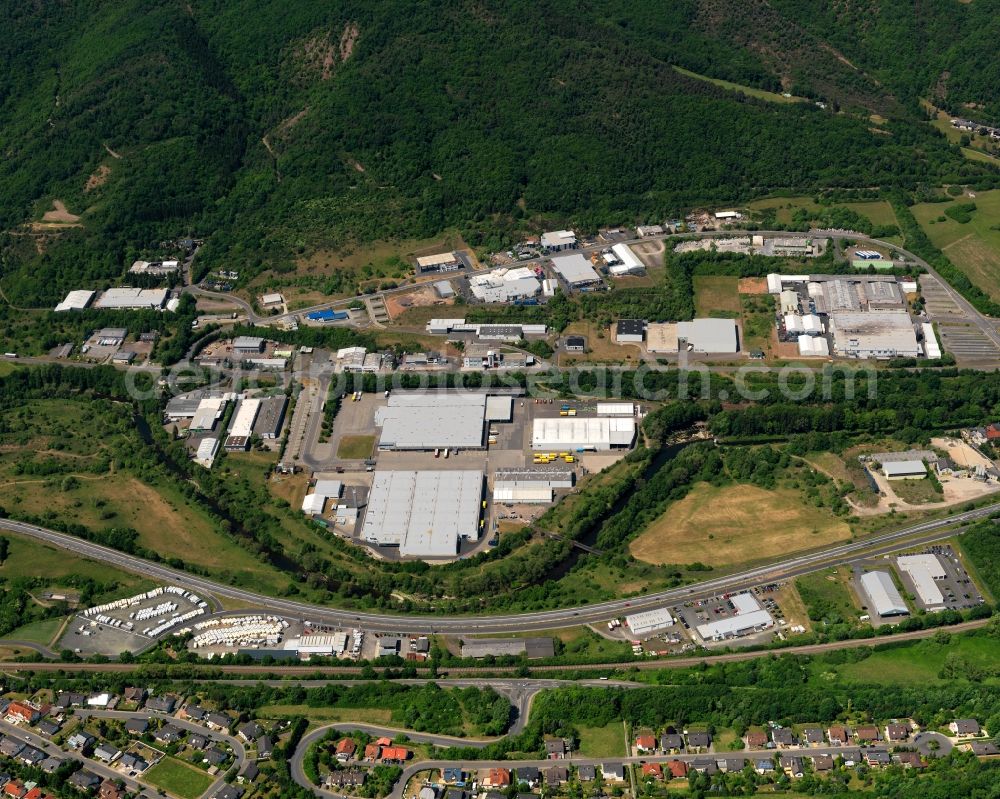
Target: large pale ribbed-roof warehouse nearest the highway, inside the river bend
424,513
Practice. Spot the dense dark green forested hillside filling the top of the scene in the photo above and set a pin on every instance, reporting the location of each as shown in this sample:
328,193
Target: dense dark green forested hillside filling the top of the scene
271,127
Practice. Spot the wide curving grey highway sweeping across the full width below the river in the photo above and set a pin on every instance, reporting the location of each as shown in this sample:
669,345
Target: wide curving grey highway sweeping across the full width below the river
923,532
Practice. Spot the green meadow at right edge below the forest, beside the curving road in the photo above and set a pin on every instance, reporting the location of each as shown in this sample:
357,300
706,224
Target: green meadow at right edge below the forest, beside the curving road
974,247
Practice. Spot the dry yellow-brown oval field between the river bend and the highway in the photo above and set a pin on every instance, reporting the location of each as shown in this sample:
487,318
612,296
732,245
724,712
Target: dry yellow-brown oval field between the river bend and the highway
734,524
